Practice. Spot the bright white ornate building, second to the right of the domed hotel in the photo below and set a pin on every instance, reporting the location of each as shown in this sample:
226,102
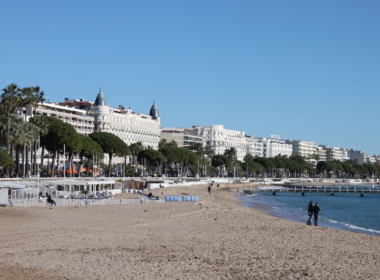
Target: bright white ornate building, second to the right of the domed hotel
221,139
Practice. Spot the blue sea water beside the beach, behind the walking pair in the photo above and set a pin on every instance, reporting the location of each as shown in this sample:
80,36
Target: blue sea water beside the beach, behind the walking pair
343,210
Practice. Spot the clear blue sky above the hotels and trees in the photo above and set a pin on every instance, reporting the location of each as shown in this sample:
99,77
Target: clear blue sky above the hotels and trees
306,70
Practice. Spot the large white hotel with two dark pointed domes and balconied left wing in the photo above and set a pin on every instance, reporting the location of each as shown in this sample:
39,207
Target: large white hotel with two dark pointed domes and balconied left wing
88,117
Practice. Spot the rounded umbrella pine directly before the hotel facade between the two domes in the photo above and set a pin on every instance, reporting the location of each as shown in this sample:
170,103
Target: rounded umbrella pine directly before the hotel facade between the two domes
111,145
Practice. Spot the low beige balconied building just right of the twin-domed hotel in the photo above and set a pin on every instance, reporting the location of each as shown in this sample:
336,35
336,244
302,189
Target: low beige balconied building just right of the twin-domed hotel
182,136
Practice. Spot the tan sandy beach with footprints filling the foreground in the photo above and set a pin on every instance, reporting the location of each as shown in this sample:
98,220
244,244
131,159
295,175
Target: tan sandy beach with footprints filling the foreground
214,238
